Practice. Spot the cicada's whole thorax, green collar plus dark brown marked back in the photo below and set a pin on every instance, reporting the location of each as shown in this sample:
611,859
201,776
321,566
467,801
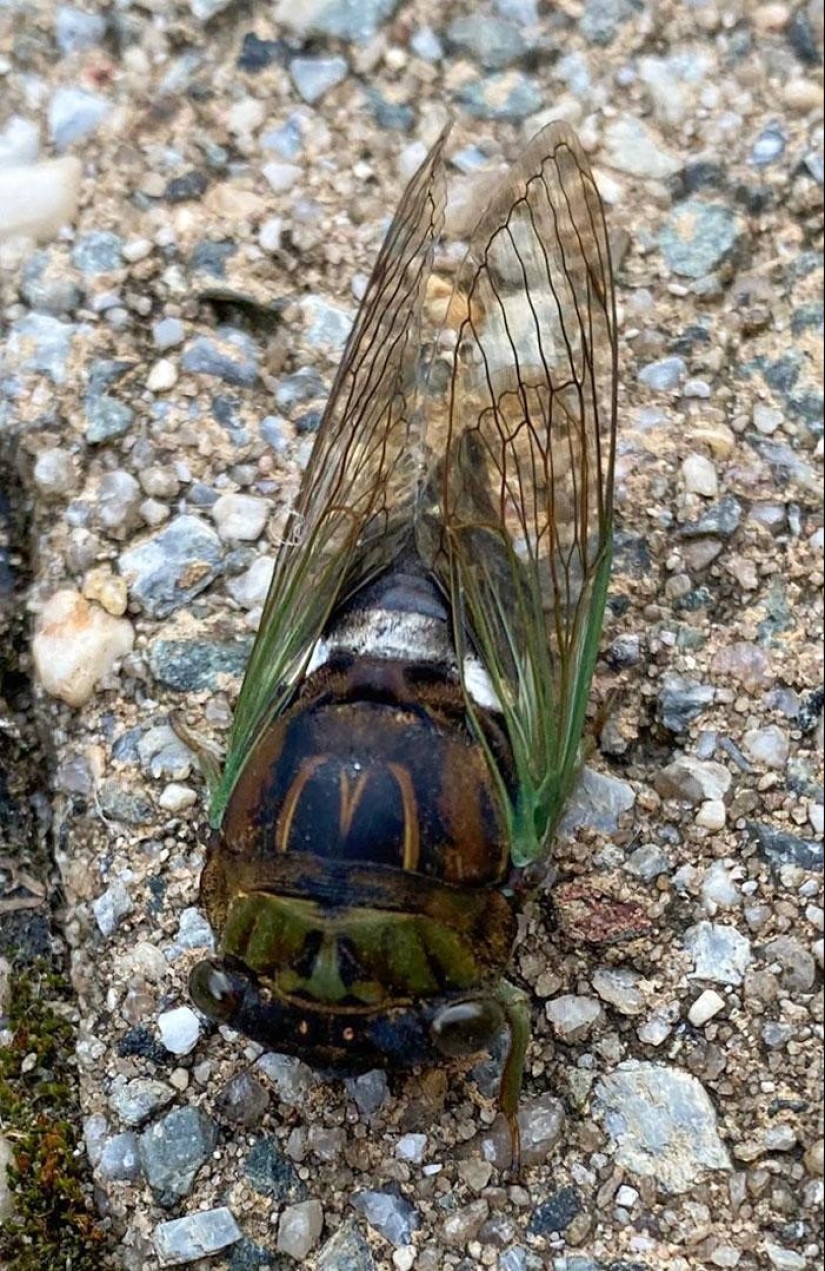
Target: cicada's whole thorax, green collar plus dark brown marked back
363,851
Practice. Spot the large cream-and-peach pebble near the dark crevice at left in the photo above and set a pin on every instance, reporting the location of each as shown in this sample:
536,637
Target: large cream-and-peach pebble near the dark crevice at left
77,645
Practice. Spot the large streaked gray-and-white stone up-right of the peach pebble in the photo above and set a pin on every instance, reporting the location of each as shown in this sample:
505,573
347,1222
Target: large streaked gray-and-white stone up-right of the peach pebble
174,566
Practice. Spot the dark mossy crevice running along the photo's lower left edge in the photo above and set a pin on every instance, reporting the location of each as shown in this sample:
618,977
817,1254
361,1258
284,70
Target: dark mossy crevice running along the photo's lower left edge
54,1225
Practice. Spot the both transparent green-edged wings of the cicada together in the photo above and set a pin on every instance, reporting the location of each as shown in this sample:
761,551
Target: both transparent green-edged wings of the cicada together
494,458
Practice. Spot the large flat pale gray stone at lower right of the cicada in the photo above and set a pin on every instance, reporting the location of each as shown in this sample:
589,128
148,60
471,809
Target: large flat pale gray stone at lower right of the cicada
663,1123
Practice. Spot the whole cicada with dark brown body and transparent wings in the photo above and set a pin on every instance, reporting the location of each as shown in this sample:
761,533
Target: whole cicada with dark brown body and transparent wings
410,723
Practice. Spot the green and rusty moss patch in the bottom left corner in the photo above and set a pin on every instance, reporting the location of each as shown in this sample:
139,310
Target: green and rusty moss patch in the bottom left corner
54,1227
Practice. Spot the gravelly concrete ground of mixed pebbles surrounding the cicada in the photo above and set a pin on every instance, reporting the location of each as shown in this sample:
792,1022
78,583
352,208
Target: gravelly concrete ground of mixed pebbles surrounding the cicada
227,172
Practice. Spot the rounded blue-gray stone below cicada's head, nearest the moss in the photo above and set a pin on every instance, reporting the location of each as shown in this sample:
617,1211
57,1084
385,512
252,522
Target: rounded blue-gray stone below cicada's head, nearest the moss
174,1151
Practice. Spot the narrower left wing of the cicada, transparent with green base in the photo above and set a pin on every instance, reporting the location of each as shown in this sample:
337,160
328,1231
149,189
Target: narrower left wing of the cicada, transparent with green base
355,506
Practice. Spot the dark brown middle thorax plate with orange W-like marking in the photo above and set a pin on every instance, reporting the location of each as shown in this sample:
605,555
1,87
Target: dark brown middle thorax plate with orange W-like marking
373,765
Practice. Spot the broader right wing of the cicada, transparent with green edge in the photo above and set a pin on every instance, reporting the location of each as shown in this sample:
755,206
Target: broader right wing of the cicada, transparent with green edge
517,517
